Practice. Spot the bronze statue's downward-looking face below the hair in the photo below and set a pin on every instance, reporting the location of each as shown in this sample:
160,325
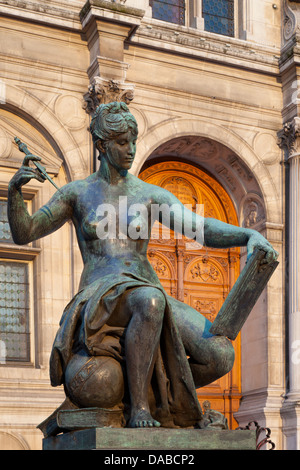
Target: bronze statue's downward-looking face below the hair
121,150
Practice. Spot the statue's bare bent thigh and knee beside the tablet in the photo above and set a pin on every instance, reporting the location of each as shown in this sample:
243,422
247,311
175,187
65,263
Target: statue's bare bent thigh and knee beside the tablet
211,357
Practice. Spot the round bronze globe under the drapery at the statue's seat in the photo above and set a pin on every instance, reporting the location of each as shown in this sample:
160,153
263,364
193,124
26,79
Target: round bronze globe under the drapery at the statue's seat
94,381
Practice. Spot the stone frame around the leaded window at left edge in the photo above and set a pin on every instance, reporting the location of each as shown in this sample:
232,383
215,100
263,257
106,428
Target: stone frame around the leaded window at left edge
27,254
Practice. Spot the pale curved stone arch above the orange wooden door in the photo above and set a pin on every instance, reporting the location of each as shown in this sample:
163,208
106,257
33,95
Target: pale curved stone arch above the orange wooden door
244,157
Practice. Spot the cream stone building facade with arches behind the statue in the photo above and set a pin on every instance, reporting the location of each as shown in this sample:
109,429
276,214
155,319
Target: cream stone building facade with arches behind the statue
237,96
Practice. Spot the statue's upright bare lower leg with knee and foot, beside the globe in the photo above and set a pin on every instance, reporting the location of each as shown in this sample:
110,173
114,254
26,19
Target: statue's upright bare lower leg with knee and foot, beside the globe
141,310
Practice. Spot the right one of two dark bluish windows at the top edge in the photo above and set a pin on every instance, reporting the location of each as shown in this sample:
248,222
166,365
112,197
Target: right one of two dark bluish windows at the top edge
219,16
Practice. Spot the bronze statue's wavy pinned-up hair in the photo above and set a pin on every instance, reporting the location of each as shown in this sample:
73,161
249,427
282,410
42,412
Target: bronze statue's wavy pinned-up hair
110,121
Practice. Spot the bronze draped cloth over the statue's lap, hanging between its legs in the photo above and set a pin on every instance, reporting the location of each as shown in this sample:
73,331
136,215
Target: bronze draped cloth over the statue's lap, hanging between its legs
176,399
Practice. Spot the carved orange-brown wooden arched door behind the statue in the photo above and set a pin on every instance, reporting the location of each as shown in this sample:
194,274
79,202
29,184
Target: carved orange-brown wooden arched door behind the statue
202,277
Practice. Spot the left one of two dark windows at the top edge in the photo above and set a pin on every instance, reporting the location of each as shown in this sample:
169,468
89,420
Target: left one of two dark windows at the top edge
172,11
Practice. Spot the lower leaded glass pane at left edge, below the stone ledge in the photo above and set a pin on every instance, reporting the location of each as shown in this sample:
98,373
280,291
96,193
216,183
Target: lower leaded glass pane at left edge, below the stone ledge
14,311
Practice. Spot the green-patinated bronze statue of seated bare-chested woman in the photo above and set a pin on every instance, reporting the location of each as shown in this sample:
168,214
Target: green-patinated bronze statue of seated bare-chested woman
123,343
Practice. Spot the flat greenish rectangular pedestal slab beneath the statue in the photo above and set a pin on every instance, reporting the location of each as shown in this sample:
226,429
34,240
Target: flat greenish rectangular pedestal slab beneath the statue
152,439
